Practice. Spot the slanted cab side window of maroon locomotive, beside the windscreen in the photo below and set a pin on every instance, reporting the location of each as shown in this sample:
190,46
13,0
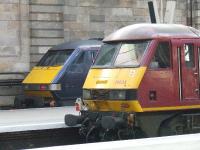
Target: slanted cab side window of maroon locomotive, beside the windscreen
161,57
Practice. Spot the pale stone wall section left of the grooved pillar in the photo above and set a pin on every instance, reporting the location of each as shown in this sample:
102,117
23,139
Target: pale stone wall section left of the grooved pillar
14,36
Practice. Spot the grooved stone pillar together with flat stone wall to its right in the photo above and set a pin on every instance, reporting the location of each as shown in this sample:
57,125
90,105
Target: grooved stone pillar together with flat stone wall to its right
55,21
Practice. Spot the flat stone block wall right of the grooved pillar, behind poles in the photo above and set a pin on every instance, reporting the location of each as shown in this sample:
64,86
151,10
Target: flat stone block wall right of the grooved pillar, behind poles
98,18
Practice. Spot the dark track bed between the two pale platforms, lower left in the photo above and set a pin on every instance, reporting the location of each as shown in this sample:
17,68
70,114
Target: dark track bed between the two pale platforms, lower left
39,138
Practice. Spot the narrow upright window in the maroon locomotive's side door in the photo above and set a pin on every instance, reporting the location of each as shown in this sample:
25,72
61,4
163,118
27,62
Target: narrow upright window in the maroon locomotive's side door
189,55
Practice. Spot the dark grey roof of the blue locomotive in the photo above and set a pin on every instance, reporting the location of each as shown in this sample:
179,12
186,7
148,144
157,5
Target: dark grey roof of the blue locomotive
76,44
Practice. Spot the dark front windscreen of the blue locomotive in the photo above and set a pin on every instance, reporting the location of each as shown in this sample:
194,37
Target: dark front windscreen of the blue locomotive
55,58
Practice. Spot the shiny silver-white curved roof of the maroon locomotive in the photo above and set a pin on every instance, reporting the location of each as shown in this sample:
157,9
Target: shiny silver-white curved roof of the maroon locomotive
152,31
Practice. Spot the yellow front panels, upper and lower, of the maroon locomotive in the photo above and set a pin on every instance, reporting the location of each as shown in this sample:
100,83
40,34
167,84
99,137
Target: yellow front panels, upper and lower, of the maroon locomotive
114,79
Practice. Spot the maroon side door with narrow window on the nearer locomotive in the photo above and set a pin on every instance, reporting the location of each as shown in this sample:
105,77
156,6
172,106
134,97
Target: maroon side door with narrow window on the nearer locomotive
189,69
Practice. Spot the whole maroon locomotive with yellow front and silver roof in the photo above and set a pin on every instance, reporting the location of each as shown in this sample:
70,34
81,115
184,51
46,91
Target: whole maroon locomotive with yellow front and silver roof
144,83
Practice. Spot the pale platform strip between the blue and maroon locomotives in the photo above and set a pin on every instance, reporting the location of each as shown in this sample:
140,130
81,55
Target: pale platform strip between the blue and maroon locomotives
34,118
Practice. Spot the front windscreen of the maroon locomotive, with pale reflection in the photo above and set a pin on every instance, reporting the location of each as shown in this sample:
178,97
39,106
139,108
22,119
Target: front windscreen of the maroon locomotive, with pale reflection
121,54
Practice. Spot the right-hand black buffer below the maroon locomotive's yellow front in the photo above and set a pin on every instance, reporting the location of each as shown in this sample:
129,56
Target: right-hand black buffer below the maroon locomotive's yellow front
109,122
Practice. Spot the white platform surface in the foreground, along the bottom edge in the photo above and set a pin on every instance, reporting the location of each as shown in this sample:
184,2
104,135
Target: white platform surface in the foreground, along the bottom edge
179,142
